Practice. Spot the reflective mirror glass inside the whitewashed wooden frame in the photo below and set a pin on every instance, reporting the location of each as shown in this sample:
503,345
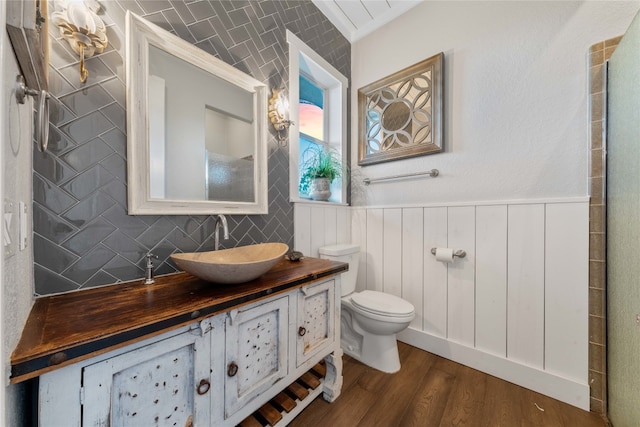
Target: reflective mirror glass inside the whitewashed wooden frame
194,141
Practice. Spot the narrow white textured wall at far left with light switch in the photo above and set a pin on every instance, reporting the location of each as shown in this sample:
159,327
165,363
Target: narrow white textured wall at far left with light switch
16,270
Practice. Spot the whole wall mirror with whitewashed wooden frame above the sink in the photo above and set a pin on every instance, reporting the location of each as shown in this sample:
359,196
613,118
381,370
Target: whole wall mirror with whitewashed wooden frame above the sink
196,129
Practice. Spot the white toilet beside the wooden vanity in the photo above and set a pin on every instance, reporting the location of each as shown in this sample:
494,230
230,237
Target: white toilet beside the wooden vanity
369,320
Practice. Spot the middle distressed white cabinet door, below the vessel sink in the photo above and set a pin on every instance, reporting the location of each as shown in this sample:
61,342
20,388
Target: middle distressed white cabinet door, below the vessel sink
256,351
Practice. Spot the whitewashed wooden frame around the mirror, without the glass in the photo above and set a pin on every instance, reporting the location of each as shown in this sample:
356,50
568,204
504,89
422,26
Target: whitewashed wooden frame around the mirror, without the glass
140,34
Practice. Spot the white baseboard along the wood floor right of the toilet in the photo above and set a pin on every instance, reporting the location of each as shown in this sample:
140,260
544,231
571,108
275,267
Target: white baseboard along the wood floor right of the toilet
563,389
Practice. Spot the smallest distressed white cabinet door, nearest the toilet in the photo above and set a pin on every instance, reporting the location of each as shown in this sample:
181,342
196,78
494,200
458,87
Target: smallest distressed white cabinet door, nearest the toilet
316,319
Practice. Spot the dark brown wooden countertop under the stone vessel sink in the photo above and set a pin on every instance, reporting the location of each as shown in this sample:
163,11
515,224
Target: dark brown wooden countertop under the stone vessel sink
64,329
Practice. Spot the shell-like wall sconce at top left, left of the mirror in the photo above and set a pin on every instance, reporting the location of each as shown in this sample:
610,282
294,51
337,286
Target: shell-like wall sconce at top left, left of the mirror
80,25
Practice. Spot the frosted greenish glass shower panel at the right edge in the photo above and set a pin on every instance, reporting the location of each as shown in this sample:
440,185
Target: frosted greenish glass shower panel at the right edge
623,230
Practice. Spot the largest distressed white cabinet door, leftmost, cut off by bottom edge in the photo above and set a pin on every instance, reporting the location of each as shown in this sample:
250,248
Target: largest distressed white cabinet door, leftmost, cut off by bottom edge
163,384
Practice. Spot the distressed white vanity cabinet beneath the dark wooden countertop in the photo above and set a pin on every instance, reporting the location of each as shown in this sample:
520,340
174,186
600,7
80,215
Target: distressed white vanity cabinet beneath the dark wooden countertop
215,370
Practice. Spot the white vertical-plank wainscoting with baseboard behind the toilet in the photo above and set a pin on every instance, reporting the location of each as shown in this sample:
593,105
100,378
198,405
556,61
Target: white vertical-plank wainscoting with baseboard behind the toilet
515,307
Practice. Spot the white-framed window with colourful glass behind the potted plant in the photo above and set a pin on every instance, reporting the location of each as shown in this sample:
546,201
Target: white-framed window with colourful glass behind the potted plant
317,100
